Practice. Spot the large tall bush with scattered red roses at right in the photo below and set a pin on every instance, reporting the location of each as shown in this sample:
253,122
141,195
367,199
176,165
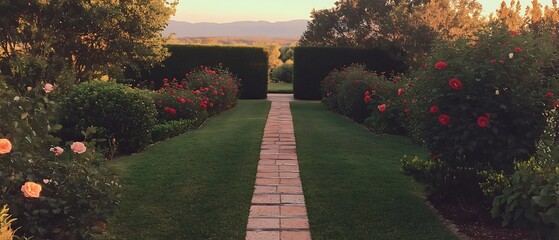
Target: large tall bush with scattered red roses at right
479,105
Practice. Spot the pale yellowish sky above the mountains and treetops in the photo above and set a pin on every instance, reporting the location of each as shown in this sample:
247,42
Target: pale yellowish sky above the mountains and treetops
223,11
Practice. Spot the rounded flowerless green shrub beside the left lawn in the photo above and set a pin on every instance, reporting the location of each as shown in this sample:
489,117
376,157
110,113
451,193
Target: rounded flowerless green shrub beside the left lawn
116,110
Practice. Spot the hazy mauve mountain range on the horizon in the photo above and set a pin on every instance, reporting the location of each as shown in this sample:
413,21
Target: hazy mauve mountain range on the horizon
289,29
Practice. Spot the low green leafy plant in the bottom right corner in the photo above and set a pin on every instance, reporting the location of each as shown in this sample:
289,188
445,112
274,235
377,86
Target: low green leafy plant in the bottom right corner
532,196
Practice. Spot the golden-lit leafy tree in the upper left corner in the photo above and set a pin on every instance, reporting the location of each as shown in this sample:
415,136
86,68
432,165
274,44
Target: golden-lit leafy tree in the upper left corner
91,37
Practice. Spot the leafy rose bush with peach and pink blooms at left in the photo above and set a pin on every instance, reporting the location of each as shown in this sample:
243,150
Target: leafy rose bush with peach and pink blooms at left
78,192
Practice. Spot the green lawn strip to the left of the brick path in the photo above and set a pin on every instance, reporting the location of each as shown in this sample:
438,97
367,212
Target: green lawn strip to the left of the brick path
195,186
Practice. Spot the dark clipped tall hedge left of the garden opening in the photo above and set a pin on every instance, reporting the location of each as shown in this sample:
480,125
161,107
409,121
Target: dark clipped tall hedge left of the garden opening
248,63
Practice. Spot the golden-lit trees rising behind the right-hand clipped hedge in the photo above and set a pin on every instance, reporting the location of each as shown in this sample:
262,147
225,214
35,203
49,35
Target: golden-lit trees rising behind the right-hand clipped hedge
409,26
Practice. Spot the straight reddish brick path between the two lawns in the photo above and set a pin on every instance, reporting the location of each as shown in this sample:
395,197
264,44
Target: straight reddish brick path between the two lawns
278,209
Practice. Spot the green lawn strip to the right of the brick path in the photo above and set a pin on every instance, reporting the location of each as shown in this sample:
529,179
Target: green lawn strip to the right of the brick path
353,185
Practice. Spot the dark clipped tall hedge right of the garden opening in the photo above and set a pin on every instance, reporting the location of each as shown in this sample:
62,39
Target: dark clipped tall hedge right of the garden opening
313,64
